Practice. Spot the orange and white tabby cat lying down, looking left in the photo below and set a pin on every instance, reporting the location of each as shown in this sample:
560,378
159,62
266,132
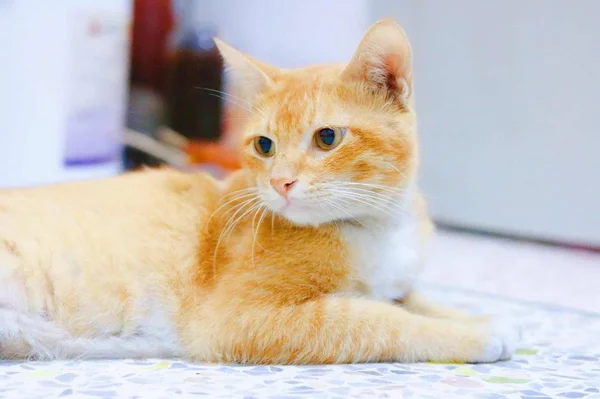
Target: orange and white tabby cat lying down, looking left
307,255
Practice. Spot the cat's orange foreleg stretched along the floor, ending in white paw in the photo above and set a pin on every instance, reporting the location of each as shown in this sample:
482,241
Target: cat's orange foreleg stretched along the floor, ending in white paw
337,329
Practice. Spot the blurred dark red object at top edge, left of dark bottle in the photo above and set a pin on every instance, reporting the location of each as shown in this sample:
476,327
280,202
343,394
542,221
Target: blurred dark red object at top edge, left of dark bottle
152,23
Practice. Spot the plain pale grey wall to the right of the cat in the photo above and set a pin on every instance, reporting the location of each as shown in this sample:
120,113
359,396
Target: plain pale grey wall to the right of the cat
508,97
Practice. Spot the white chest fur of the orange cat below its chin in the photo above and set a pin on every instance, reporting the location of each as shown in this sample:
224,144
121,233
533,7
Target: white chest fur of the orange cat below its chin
386,258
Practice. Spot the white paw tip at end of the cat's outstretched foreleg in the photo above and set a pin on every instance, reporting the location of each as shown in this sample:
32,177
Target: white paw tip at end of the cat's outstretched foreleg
499,342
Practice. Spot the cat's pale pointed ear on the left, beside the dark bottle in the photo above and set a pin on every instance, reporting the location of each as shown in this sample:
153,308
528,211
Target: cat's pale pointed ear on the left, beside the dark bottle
249,76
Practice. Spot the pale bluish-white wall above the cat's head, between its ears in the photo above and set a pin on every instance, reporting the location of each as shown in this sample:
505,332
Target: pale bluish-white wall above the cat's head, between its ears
287,33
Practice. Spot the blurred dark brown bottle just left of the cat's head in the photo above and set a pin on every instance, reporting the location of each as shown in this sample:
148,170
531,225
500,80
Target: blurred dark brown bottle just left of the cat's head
194,84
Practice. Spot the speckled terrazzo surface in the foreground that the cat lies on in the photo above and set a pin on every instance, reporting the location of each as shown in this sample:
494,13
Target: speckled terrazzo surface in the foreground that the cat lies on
559,357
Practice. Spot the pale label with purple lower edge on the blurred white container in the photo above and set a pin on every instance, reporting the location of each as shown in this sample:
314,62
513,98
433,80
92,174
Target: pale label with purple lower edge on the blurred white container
98,88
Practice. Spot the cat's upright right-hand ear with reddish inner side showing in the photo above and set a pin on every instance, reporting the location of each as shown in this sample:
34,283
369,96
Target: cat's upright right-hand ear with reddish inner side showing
383,59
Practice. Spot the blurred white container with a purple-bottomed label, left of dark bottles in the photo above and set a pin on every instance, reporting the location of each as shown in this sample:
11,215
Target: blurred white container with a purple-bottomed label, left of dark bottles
63,89
